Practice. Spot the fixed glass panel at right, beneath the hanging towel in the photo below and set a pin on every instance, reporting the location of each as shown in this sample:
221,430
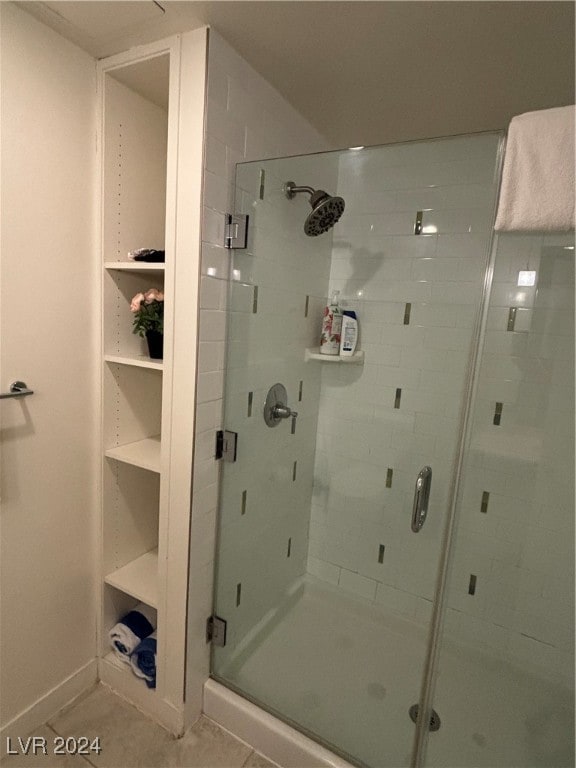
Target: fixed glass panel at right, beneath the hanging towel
505,691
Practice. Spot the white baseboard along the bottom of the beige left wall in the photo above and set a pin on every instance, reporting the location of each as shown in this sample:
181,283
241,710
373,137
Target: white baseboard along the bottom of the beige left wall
50,704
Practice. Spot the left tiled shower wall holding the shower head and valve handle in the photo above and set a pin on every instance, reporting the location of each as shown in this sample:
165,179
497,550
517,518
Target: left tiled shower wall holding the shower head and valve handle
277,297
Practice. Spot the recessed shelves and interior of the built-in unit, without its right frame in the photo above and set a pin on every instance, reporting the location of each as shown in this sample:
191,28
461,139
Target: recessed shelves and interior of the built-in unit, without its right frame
135,164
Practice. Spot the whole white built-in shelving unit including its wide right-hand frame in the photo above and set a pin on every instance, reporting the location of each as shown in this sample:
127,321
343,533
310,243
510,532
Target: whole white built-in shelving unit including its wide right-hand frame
151,139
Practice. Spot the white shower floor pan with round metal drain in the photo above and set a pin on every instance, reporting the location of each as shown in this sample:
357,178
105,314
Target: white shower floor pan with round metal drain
348,671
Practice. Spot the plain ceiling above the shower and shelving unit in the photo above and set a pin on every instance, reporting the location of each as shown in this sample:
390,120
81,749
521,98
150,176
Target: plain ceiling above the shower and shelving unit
365,72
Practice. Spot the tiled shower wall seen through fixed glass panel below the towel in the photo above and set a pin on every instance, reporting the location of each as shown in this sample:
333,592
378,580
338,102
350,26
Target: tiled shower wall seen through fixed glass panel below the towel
516,520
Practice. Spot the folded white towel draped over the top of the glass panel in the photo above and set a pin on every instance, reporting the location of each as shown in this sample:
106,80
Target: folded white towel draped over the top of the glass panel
537,193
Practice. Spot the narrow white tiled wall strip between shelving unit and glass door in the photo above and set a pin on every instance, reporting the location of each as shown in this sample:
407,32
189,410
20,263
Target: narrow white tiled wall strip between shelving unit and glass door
246,119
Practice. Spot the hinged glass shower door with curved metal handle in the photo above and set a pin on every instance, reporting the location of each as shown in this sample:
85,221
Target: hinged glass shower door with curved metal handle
326,590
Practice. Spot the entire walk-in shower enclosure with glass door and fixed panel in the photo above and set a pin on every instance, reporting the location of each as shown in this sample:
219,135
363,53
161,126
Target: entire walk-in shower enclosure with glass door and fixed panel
341,619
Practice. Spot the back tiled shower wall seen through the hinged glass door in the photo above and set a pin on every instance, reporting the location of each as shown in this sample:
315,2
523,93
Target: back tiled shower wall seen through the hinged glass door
416,297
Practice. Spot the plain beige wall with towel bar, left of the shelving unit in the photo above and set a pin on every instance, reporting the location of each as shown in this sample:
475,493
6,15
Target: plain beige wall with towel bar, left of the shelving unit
49,284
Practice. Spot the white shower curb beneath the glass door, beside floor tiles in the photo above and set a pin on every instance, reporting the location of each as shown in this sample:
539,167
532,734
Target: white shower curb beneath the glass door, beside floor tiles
265,733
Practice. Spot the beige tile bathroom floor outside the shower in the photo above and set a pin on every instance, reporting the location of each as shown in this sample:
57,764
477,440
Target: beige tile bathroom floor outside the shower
131,740
